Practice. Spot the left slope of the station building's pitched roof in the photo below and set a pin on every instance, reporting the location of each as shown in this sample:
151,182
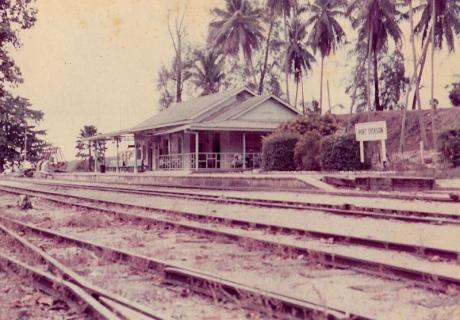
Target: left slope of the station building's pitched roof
186,111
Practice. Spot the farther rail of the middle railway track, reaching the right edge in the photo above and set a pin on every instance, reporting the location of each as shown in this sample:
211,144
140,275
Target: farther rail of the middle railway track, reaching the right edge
338,238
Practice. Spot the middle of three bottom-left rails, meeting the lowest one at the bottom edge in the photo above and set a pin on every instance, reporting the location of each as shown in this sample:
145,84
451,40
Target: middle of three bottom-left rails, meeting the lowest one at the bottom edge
91,290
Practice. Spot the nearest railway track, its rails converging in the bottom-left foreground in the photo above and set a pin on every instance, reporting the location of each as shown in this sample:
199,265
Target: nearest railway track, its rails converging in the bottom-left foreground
204,284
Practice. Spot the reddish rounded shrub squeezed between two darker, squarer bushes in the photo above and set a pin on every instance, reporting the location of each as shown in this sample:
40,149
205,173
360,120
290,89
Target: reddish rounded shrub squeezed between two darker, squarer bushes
307,150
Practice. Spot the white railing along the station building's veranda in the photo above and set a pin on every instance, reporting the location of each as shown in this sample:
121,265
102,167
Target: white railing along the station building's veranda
209,160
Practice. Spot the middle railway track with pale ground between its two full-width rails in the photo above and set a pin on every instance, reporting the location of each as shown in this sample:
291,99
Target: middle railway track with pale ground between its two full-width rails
428,276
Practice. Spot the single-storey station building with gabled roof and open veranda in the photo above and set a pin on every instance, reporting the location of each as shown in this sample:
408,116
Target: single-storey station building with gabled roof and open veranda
222,131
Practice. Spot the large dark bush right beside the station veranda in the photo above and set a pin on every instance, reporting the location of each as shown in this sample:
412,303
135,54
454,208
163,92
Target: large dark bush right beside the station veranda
278,151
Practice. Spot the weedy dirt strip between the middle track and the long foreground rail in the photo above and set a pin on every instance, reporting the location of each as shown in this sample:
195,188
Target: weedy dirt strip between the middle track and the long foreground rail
293,277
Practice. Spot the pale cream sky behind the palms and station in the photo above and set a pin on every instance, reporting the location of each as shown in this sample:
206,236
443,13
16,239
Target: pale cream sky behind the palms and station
96,62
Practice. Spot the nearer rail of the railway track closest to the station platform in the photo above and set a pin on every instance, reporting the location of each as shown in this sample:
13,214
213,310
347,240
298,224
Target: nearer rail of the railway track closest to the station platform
343,210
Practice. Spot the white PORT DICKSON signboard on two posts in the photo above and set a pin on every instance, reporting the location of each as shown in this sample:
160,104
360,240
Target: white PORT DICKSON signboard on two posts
371,131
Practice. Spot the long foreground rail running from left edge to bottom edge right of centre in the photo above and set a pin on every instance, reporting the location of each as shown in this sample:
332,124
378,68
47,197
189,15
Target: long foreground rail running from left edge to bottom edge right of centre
198,281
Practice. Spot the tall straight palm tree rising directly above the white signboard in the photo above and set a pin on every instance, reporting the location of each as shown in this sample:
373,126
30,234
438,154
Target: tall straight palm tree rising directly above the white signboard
376,22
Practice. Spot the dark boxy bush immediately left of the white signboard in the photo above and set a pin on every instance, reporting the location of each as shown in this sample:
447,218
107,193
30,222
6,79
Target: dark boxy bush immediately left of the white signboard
341,152
